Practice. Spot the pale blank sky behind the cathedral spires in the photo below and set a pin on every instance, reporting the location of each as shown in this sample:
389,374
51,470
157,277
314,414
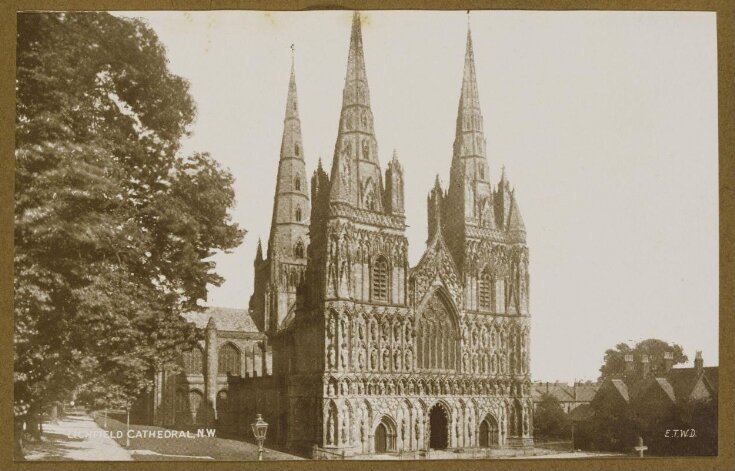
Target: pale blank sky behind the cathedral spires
606,123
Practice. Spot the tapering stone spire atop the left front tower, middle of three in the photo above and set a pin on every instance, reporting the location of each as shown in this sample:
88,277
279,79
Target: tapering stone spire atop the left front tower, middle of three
356,177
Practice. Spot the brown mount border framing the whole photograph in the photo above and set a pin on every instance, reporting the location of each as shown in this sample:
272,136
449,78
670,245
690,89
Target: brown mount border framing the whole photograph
725,10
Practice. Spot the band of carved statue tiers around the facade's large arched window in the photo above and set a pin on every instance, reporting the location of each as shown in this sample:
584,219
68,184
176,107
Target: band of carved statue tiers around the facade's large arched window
401,343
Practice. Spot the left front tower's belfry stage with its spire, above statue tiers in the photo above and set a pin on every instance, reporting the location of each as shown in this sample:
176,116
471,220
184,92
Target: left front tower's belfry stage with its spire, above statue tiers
365,247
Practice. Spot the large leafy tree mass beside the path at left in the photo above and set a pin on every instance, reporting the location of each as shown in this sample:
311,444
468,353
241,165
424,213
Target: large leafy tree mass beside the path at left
114,228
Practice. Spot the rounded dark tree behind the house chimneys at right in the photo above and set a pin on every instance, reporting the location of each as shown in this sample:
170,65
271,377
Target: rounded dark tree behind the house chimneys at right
614,362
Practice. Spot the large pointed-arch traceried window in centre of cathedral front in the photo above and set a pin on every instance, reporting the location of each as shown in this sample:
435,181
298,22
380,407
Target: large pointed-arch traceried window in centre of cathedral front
436,338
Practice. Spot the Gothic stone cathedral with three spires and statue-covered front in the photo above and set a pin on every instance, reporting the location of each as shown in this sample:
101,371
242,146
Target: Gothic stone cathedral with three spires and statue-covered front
369,354
